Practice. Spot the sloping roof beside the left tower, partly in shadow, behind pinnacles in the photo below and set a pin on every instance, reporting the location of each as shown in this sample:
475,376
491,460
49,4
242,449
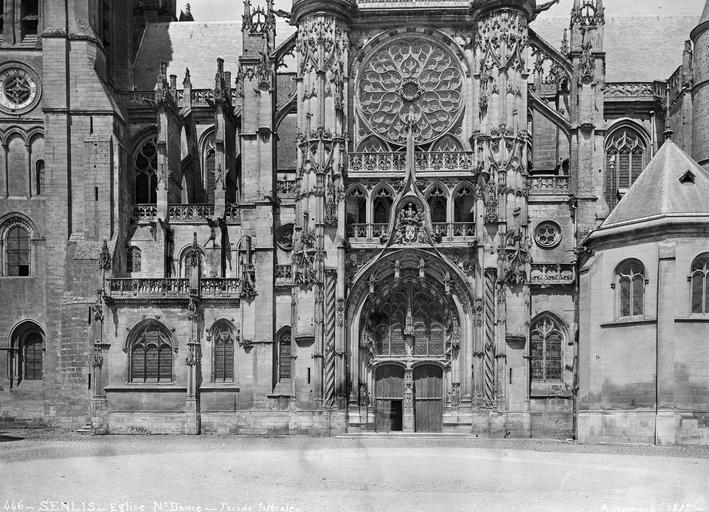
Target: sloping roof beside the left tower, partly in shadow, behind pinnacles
193,45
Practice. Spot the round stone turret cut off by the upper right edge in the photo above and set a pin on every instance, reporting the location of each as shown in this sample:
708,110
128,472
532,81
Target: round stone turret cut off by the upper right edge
700,90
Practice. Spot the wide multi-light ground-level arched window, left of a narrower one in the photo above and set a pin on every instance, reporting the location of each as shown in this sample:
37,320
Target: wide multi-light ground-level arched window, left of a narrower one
151,354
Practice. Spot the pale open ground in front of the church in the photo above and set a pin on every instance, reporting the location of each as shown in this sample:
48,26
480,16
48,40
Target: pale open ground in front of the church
51,472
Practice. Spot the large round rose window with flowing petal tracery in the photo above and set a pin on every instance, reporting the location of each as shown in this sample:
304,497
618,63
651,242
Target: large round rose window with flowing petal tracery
411,77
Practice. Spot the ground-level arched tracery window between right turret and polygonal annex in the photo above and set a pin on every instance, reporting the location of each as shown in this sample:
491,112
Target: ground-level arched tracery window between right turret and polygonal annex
546,342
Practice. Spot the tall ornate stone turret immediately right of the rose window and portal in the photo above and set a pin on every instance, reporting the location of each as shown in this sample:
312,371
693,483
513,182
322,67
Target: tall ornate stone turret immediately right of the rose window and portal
501,143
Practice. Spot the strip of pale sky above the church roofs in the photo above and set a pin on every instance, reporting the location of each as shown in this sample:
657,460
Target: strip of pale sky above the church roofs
226,10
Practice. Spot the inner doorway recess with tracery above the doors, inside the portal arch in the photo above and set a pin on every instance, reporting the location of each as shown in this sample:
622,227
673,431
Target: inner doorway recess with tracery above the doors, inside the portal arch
410,325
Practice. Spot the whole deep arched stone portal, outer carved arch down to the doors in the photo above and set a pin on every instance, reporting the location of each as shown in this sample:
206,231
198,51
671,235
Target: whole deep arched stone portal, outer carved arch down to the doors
411,338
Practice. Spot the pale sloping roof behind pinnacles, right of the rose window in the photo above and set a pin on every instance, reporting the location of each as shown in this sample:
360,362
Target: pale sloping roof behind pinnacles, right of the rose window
638,49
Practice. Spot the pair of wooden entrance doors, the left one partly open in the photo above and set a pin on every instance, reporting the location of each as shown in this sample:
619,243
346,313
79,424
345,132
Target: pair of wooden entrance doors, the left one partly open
427,403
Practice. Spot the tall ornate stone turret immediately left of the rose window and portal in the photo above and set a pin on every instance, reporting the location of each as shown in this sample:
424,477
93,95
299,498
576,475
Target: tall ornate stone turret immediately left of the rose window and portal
322,96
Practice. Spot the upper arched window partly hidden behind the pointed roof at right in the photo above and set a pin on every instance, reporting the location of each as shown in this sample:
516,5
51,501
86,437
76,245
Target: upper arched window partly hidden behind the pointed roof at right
625,160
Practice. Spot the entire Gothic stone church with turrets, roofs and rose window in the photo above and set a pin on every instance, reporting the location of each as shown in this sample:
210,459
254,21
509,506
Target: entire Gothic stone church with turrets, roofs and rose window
355,216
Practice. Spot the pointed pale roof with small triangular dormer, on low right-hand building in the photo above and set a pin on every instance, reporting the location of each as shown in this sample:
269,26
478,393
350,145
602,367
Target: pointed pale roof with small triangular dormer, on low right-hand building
672,184
